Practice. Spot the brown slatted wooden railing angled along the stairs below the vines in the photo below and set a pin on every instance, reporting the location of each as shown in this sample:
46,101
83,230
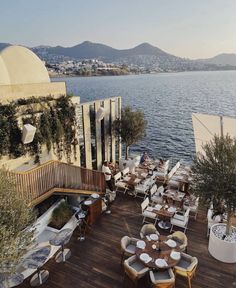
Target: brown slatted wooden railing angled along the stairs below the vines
54,174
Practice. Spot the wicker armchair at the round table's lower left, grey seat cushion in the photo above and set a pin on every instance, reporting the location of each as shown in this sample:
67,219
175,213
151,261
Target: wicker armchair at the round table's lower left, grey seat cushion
134,269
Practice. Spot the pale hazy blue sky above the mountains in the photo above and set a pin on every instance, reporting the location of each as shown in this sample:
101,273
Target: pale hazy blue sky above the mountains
186,28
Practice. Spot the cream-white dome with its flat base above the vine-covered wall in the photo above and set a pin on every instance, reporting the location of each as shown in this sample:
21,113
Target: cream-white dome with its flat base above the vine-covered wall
23,74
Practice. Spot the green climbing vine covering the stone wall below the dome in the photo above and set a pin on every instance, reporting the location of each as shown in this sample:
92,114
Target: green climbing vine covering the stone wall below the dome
55,122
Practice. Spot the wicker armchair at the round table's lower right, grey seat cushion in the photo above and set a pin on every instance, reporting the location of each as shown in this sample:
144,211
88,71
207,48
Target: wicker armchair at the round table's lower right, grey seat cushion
186,267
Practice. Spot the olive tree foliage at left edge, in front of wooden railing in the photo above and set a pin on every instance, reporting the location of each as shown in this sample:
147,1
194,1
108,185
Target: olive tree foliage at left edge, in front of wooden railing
15,218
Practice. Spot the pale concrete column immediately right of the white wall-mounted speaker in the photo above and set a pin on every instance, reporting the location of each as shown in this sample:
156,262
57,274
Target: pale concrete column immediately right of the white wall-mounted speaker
107,129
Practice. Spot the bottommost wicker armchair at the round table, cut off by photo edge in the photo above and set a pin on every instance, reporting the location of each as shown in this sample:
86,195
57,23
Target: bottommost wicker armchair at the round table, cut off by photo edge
162,278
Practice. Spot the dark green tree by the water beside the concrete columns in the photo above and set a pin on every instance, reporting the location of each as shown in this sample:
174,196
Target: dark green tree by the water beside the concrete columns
131,127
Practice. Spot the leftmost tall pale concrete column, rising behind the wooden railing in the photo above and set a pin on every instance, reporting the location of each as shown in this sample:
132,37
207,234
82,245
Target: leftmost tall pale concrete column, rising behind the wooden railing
87,136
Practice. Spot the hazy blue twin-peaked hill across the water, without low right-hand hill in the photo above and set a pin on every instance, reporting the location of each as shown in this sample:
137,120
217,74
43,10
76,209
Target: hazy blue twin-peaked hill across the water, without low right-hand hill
144,55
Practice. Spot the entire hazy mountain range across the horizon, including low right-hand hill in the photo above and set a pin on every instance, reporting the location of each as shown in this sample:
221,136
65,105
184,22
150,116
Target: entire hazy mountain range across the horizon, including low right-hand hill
143,55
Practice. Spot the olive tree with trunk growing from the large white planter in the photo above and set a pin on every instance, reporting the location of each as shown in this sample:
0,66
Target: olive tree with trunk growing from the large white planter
215,174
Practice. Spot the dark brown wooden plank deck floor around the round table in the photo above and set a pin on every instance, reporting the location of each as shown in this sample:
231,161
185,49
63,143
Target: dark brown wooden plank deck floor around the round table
96,261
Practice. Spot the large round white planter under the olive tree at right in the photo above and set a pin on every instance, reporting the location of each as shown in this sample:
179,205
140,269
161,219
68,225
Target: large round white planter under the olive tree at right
222,250
